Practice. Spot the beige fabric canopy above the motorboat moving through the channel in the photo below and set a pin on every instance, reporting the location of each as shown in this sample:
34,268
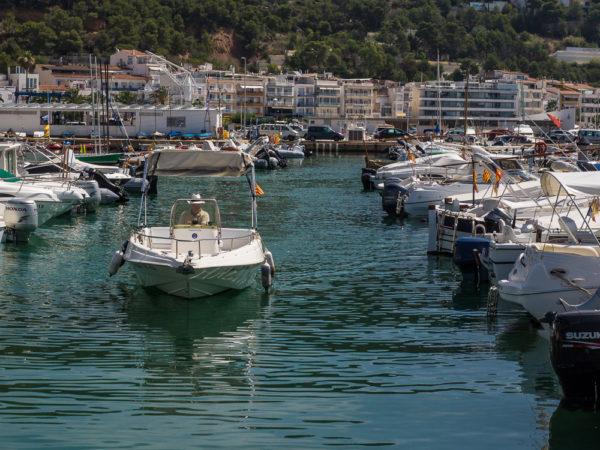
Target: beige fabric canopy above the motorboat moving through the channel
198,163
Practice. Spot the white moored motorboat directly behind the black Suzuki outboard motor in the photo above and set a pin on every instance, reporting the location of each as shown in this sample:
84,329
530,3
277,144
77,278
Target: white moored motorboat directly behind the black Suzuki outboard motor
547,274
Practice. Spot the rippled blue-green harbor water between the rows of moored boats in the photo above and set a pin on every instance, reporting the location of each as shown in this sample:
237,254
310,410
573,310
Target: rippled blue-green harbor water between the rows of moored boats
362,340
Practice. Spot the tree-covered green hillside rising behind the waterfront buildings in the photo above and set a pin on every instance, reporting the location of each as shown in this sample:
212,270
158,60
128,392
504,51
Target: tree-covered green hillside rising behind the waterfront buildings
351,38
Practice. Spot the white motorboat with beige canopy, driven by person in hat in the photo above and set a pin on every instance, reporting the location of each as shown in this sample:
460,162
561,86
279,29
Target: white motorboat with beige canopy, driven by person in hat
195,259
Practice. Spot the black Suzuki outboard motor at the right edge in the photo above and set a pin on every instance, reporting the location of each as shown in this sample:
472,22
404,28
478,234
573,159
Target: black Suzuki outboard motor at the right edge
575,354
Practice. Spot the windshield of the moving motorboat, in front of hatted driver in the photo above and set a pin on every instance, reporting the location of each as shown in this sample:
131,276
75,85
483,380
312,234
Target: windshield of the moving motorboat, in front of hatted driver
195,213
